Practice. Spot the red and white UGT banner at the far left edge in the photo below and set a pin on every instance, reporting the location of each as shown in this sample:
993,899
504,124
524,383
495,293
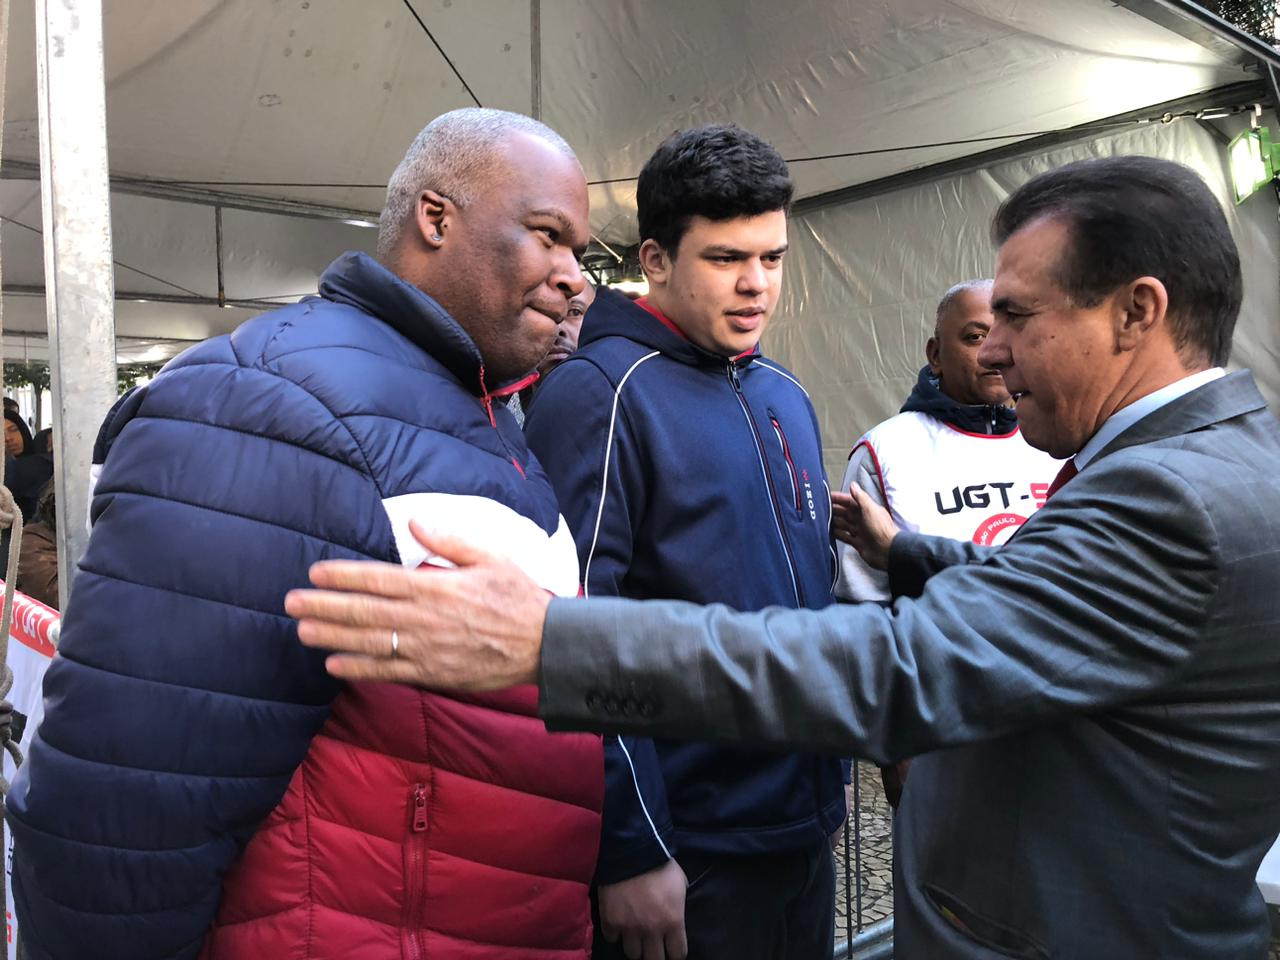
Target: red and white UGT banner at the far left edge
31,647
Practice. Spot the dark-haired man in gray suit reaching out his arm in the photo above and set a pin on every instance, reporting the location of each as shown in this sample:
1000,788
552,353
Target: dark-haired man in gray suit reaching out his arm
1095,706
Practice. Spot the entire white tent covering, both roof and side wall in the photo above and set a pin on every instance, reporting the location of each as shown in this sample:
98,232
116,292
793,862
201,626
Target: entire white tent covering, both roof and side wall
305,107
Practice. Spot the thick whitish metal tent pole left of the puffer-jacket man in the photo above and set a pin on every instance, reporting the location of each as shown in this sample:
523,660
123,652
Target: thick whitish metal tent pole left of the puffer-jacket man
79,281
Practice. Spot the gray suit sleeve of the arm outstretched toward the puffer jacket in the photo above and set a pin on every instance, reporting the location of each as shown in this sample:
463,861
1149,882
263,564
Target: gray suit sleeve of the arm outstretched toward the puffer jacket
1096,602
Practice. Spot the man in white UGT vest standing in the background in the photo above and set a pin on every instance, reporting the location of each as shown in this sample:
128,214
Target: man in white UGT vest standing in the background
953,463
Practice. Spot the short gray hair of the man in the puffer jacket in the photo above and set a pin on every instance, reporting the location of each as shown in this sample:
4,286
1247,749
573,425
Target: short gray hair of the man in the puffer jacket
455,156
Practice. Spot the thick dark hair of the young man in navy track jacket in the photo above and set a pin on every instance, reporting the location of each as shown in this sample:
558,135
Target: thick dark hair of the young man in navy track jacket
720,172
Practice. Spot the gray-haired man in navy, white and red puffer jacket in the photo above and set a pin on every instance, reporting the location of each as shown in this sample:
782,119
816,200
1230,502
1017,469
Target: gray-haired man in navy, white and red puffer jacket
202,787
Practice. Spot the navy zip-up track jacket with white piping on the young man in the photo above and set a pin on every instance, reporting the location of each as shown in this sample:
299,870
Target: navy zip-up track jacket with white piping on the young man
685,476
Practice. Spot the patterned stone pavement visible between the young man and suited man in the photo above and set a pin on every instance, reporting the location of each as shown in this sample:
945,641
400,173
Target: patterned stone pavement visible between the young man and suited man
876,876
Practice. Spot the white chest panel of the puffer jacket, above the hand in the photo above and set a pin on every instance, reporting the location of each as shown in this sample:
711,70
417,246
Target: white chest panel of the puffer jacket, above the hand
551,561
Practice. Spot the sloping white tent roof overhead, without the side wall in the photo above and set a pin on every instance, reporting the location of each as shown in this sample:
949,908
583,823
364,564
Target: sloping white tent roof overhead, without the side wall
330,93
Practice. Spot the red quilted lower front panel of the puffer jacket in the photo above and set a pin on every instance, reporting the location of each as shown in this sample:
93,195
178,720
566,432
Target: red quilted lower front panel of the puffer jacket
424,826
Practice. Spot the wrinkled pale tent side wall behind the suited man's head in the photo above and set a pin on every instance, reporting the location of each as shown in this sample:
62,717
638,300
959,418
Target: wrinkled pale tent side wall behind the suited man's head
865,278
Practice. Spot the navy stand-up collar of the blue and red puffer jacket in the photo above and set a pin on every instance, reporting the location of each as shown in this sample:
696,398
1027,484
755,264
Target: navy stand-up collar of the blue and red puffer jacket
359,281
